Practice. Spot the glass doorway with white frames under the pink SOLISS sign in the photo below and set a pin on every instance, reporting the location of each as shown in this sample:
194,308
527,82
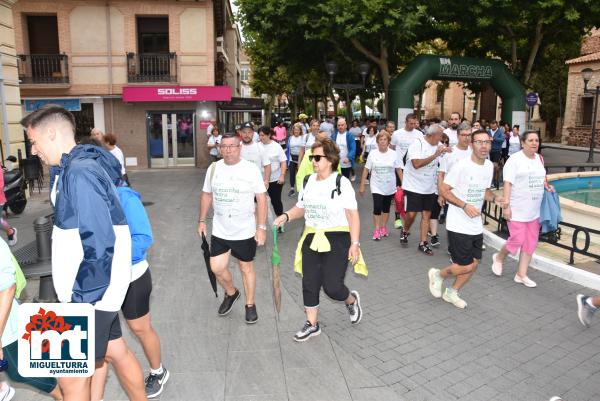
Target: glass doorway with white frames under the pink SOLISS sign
171,138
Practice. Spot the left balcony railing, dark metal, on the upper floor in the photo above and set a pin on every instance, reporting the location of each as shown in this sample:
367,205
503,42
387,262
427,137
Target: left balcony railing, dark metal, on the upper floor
43,68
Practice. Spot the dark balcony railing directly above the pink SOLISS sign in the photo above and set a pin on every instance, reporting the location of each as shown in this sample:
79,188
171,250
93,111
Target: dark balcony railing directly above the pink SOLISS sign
152,67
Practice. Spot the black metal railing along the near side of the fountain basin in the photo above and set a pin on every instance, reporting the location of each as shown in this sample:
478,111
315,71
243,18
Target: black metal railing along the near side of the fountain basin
494,213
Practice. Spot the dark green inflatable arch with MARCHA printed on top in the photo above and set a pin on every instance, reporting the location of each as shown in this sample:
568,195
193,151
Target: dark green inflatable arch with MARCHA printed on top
426,67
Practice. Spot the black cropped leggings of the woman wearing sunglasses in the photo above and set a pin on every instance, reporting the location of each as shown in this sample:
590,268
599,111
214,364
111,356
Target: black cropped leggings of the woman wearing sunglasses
325,269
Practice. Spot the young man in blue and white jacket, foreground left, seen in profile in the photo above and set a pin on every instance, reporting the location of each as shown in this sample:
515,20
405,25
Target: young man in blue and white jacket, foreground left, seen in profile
91,255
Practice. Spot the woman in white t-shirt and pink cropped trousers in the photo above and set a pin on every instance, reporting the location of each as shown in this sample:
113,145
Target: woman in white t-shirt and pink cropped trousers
524,183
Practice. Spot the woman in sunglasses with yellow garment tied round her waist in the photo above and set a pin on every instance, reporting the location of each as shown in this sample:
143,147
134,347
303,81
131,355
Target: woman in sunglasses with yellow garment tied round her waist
330,238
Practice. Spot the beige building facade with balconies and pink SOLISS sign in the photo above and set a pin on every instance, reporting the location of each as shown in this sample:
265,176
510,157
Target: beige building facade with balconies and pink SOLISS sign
151,72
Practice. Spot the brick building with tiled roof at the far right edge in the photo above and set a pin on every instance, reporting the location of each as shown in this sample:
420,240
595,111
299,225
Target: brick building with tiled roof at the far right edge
579,107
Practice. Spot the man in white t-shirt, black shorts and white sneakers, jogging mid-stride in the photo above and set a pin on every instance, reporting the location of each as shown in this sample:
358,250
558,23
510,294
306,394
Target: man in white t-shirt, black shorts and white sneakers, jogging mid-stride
465,187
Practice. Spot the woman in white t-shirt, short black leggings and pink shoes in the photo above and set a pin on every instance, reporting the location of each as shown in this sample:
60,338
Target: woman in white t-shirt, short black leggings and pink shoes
383,166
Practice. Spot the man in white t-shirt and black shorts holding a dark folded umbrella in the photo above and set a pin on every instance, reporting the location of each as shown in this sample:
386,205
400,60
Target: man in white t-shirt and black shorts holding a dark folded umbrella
230,185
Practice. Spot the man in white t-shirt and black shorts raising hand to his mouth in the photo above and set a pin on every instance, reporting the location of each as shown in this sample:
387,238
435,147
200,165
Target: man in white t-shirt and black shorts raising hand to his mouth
419,180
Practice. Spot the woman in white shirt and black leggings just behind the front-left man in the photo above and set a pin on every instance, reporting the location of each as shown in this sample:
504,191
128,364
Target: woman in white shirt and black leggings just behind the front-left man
276,155
